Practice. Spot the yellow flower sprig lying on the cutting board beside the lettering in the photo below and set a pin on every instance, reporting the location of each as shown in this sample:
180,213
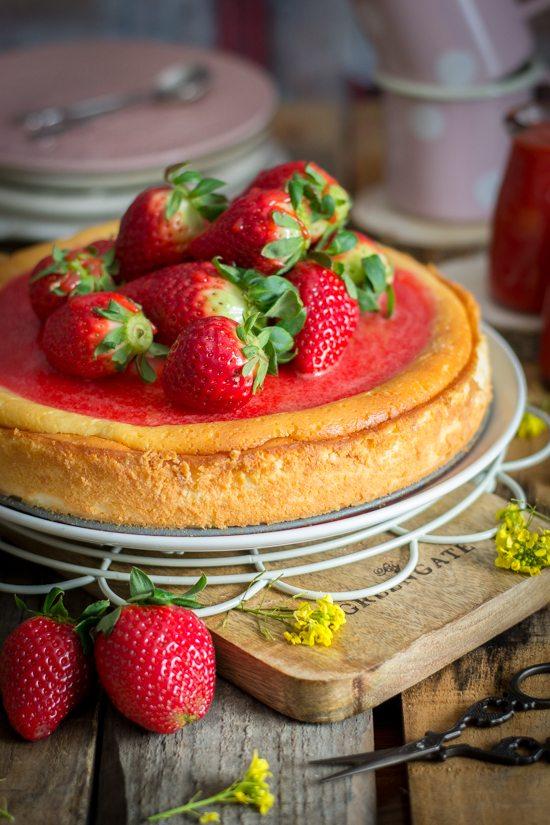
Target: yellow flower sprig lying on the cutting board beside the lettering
308,624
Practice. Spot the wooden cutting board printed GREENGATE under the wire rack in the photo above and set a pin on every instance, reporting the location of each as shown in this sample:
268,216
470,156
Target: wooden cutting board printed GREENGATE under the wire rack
455,600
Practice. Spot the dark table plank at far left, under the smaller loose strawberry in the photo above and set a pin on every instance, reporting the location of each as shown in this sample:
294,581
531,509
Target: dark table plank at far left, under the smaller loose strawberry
47,782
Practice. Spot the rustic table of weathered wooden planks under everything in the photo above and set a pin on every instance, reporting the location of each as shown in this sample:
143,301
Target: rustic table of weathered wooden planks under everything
98,769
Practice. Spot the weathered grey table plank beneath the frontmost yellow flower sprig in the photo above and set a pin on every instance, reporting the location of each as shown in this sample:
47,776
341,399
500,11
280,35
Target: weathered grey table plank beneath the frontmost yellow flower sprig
143,773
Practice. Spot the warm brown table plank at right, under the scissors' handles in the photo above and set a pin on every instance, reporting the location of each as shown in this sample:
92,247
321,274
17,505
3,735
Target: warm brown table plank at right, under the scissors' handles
463,791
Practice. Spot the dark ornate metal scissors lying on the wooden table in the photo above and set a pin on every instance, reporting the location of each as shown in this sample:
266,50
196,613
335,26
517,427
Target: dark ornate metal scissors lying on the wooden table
494,710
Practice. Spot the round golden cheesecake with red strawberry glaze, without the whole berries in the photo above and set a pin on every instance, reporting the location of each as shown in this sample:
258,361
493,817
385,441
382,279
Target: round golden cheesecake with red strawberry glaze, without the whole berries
407,396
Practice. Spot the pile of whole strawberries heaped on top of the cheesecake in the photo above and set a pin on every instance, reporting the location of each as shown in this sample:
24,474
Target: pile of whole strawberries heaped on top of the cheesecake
234,291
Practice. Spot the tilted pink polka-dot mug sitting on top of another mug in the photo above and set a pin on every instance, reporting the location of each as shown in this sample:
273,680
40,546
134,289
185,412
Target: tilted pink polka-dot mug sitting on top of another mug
451,43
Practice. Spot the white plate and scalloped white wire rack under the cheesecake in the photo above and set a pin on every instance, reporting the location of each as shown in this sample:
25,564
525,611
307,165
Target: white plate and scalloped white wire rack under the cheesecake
269,558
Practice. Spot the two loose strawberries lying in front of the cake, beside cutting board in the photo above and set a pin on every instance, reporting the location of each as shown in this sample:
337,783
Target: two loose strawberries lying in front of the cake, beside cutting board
154,658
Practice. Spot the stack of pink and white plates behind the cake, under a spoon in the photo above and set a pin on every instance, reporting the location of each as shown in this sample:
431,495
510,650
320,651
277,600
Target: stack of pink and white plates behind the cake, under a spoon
51,186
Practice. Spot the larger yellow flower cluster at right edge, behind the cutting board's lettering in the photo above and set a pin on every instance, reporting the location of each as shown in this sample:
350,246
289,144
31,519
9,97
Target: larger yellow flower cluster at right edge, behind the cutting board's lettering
519,548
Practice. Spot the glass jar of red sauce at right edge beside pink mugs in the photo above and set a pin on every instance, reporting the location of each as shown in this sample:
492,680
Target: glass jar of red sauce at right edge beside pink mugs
520,247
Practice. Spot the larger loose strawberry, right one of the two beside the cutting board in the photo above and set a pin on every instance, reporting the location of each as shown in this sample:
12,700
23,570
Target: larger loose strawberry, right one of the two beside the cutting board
155,657
